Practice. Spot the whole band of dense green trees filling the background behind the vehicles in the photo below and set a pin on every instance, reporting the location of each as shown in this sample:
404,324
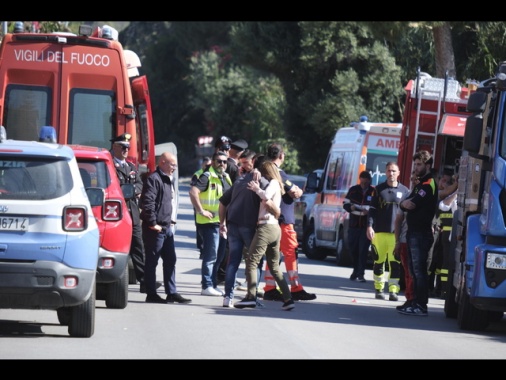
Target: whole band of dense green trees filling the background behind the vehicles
294,82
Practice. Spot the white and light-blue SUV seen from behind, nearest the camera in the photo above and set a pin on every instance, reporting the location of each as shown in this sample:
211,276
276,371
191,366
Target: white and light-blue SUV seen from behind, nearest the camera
49,239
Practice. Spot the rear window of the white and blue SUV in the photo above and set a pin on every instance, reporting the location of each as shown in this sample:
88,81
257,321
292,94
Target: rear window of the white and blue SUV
34,178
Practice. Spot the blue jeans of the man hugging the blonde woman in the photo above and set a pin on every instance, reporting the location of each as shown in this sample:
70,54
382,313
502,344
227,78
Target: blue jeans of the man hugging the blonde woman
238,238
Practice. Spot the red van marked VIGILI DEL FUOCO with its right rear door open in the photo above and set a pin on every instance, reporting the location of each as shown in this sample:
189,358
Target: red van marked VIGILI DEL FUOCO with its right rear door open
86,86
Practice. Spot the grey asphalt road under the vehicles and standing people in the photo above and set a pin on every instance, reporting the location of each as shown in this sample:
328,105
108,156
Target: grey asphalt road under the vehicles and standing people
344,322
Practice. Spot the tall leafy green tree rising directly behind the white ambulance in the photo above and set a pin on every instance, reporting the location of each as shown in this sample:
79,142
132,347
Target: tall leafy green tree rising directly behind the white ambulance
343,72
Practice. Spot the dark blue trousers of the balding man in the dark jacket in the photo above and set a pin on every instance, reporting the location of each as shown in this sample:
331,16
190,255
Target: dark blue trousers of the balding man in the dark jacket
158,245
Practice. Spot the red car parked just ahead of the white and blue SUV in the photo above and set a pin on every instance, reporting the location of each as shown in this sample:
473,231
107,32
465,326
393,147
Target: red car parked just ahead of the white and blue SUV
114,223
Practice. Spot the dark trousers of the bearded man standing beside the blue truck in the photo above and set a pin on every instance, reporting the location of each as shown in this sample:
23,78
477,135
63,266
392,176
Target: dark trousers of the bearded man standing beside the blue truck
419,244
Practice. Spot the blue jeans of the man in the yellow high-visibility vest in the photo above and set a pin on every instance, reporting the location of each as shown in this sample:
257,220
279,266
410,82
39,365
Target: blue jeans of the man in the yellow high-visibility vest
210,233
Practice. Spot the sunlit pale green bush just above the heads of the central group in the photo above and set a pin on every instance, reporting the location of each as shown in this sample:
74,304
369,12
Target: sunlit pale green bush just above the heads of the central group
238,102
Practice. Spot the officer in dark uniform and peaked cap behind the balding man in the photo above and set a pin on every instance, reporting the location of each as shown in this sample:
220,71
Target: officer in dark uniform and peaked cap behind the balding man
127,173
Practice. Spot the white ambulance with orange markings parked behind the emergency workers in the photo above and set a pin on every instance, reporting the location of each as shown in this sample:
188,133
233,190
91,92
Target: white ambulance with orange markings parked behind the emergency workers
363,146
